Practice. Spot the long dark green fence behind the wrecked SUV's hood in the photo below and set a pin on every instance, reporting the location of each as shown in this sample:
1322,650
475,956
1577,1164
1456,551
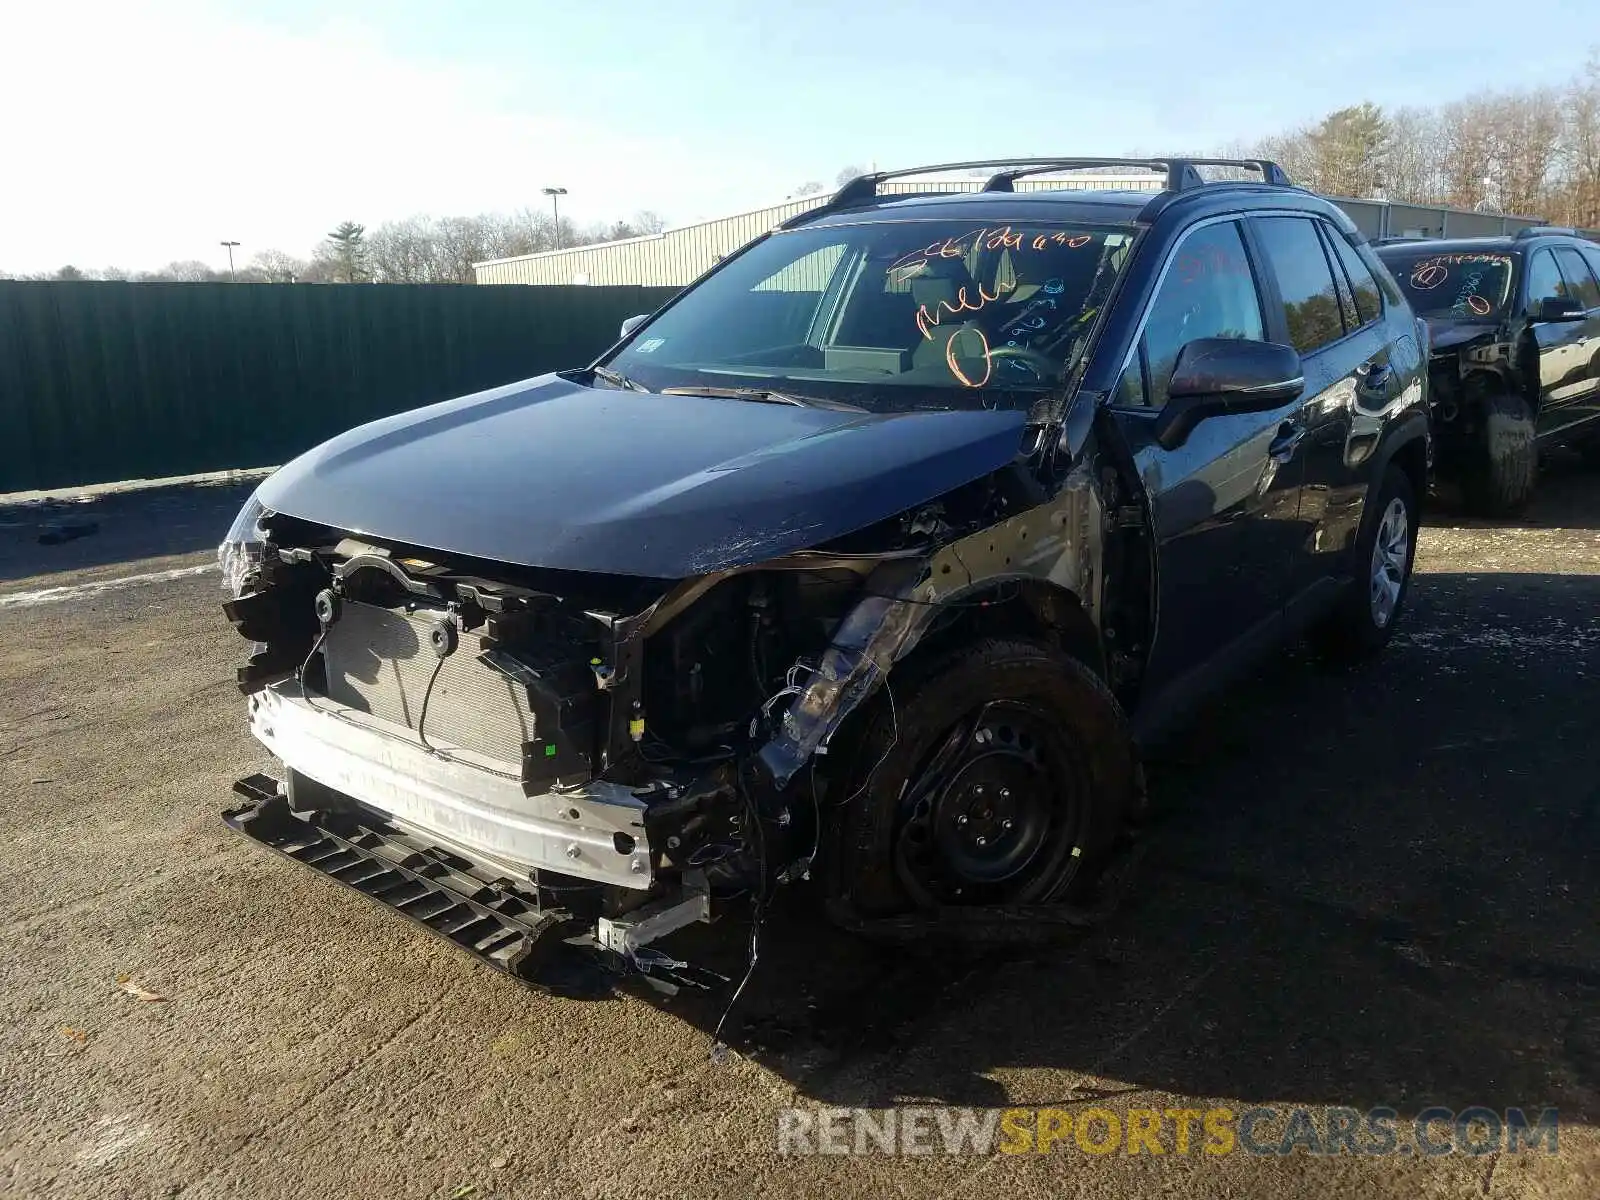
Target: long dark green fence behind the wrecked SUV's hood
113,382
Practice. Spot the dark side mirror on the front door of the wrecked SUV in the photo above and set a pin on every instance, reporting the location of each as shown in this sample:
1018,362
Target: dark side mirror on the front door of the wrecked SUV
1215,377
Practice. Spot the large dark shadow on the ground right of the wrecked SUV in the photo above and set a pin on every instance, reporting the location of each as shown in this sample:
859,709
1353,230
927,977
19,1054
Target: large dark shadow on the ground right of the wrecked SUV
1364,889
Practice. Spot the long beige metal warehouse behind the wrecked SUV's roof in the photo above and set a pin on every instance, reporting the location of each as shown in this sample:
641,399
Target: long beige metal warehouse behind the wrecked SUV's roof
681,255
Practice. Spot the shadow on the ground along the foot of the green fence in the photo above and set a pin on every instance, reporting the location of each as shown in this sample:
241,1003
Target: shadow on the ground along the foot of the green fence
47,538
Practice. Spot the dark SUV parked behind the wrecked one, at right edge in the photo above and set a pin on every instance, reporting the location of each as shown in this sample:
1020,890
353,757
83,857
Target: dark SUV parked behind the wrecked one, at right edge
1516,354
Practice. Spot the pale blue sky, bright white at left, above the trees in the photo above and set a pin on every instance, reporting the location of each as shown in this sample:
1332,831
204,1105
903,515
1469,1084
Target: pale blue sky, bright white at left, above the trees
138,132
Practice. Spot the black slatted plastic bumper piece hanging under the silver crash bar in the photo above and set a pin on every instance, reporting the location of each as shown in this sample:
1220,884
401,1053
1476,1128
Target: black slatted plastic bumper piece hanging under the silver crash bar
505,924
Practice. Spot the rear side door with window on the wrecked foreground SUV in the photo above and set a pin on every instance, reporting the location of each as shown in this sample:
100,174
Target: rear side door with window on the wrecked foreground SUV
1329,308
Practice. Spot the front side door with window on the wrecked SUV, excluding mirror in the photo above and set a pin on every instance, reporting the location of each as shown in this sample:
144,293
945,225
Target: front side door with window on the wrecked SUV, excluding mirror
1225,503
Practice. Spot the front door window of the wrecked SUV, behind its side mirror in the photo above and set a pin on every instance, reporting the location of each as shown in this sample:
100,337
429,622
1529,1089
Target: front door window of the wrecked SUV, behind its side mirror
1209,292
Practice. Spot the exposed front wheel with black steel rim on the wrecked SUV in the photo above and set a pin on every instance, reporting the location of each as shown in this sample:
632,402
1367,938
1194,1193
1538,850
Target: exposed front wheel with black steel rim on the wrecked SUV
996,774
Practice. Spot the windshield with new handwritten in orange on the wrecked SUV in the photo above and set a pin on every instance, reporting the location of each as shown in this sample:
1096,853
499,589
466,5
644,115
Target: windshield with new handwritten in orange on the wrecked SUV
890,316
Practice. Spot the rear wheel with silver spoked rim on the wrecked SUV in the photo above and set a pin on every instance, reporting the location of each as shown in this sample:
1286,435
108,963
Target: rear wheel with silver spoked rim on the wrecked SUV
1385,554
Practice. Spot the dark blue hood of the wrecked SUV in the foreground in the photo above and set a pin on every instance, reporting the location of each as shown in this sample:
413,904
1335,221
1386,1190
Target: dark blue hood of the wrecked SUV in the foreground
548,473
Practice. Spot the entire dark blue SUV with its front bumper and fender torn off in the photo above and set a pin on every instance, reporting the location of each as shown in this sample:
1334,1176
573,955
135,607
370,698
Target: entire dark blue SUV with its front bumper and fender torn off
870,561
